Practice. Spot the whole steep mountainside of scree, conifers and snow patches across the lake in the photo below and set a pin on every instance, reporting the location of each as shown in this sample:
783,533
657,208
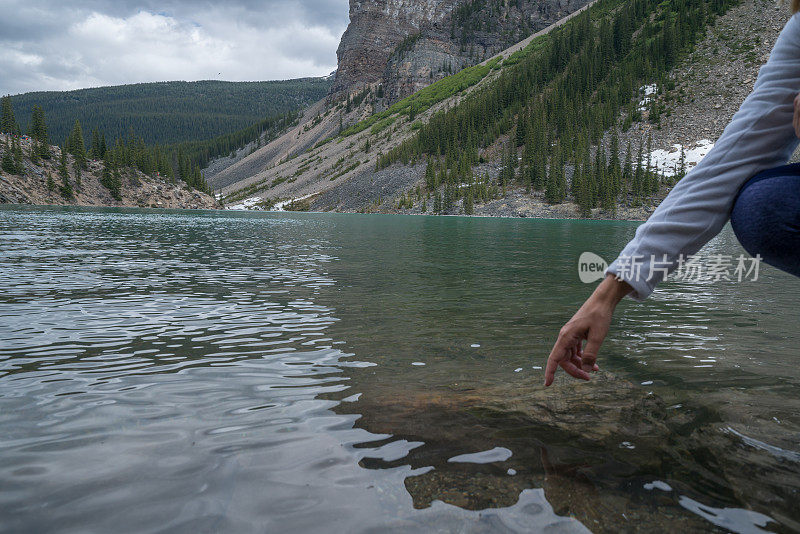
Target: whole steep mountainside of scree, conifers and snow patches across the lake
583,119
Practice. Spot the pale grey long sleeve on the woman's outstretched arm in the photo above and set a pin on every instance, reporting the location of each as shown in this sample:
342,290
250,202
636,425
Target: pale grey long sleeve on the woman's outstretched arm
760,136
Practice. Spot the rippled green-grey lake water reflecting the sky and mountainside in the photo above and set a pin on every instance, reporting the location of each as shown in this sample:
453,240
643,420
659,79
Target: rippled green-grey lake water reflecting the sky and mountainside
249,372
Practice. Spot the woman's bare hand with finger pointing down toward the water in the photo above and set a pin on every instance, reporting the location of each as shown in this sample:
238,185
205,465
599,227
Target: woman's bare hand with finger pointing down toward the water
590,323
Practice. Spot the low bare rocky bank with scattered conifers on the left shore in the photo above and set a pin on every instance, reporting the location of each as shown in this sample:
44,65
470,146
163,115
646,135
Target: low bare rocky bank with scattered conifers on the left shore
137,189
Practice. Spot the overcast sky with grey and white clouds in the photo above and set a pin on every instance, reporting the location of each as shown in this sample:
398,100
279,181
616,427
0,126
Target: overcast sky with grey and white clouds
72,44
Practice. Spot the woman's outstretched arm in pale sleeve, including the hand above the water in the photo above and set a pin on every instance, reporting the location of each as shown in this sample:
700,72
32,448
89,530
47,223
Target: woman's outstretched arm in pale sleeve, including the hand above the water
759,137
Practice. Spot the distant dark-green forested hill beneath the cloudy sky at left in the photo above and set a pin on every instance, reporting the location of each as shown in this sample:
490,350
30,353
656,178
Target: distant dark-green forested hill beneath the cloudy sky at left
169,112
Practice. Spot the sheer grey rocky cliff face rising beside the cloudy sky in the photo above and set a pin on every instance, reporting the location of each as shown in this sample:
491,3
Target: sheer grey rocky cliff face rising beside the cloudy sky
408,44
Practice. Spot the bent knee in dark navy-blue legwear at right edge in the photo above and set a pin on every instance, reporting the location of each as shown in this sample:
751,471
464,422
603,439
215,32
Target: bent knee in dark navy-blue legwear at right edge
766,217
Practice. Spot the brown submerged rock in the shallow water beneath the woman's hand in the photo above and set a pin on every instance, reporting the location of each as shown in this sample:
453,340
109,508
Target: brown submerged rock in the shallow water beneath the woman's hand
608,452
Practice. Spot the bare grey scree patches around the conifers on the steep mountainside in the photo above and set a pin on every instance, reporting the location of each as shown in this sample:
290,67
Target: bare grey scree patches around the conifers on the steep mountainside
339,173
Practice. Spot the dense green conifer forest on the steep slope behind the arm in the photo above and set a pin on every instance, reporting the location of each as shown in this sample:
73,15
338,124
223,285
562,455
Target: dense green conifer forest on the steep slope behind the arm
557,101
